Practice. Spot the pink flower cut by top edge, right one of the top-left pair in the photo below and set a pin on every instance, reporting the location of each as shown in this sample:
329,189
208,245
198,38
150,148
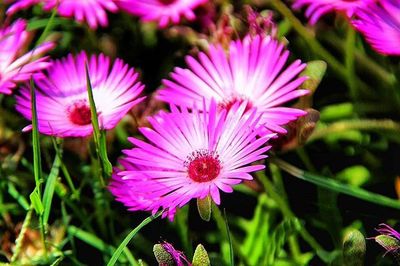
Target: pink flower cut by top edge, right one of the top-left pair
161,11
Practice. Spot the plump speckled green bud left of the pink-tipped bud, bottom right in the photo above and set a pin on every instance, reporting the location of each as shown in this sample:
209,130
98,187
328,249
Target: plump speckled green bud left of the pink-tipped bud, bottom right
354,248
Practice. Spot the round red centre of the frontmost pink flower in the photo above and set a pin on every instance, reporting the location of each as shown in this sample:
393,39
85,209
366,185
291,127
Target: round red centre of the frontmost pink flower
203,166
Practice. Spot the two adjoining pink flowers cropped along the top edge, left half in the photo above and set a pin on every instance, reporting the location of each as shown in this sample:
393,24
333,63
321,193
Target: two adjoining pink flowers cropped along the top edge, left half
94,11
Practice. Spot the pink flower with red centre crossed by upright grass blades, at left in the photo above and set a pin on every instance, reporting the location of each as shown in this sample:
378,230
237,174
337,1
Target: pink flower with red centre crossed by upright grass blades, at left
61,97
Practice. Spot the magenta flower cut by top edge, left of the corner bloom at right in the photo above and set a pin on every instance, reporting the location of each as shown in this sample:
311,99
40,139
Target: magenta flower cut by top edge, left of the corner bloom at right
317,8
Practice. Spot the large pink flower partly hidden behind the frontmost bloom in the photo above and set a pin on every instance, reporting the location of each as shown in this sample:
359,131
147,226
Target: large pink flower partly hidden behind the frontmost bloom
252,71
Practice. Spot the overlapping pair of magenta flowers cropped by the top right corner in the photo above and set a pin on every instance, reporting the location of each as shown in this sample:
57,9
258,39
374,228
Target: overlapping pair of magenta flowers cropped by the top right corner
377,20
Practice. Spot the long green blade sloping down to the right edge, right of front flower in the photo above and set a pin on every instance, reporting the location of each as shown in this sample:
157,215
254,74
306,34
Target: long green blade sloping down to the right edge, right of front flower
336,186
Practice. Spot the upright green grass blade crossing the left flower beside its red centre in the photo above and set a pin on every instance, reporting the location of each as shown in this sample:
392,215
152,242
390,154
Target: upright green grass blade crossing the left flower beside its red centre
99,136
